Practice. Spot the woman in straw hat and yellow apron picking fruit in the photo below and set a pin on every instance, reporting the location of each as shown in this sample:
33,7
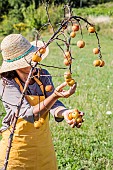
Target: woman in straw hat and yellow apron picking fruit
32,147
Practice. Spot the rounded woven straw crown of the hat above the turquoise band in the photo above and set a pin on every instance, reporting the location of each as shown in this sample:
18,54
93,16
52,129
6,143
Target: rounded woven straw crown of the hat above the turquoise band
14,45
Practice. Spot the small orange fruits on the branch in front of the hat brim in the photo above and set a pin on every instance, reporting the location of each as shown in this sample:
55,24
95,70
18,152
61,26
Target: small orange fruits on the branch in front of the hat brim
37,56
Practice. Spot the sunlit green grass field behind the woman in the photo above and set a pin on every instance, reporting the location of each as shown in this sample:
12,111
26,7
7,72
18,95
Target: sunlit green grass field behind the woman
91,146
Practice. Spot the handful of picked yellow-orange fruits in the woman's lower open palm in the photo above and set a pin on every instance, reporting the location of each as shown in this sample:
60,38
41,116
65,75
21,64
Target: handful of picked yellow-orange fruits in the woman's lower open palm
75,116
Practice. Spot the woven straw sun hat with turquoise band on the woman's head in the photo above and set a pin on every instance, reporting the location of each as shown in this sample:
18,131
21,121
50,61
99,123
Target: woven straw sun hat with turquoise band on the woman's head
17,52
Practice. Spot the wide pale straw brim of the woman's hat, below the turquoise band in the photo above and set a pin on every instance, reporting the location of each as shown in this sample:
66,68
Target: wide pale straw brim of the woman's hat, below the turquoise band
25,61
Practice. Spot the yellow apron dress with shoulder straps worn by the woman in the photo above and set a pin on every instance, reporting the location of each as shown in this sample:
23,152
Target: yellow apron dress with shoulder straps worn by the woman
32,148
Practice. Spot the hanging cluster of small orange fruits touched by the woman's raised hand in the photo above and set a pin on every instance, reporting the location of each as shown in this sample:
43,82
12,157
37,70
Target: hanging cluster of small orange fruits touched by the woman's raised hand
68,79
